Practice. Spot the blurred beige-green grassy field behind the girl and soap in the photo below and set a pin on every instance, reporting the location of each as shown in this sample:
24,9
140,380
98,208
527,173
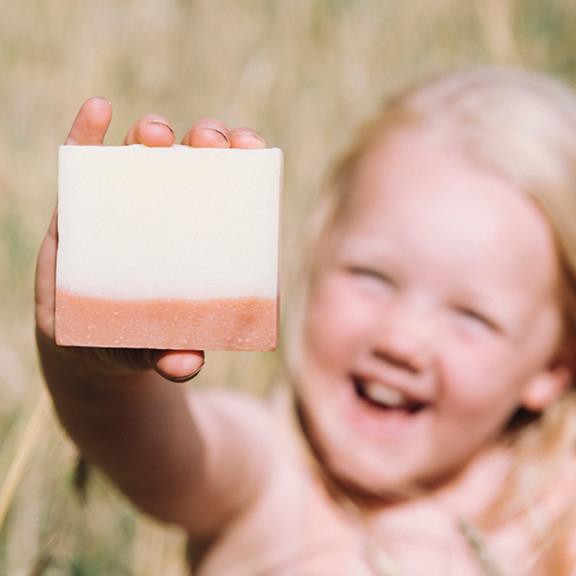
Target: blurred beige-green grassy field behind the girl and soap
305,73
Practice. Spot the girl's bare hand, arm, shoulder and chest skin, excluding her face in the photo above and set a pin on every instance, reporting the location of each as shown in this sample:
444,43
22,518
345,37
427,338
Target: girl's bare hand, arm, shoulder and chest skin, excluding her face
232,471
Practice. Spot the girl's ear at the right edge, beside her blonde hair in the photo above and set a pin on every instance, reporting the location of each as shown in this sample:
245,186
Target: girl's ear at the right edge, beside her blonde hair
551,383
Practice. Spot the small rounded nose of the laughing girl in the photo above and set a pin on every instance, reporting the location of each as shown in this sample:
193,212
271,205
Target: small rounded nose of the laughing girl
404,338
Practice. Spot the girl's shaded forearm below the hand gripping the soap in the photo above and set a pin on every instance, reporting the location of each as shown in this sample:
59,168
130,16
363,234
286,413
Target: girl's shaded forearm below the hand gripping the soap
134,425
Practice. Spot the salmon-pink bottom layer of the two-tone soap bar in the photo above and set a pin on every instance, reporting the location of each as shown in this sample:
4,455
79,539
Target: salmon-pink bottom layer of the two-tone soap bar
218,324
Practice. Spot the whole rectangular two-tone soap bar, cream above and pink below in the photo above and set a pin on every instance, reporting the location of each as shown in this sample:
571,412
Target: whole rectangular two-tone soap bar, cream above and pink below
169,248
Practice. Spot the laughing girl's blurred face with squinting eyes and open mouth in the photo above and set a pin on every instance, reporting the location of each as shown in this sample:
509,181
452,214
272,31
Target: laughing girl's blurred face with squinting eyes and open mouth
432,317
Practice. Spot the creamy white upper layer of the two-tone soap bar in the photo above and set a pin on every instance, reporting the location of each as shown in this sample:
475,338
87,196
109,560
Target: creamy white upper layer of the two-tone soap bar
196,223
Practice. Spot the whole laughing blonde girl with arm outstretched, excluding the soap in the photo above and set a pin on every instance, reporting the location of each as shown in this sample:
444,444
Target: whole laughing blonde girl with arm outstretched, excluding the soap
430,425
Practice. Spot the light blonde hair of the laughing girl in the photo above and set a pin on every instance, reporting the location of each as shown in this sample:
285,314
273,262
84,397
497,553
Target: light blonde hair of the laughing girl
520,125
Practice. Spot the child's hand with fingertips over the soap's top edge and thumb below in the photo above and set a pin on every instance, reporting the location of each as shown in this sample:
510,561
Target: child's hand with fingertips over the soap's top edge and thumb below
89,128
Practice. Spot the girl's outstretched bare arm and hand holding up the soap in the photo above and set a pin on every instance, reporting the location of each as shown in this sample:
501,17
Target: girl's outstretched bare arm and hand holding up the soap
118,405
